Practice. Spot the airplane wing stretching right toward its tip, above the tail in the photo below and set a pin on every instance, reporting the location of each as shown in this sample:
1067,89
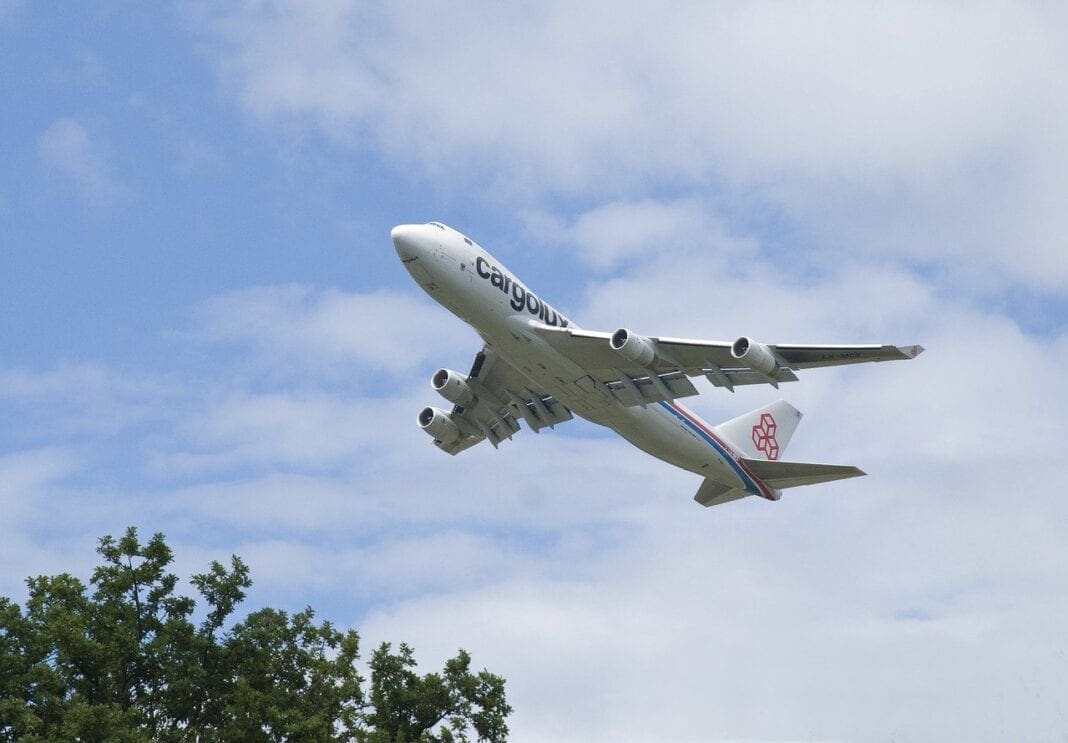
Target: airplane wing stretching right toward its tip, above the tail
634,367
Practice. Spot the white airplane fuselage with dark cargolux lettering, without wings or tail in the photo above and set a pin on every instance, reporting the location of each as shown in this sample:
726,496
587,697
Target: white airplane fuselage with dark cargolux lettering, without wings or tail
479,290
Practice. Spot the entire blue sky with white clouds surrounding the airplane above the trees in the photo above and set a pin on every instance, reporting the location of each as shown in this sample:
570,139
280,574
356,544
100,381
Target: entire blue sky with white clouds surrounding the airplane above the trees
206,331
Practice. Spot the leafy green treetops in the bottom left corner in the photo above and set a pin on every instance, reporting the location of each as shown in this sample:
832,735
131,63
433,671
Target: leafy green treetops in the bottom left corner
127,663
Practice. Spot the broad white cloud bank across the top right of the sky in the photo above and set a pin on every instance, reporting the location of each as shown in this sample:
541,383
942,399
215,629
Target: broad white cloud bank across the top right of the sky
925,132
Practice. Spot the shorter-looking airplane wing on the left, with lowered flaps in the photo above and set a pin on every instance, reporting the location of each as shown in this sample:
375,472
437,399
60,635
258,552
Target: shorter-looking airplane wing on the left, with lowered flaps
505,398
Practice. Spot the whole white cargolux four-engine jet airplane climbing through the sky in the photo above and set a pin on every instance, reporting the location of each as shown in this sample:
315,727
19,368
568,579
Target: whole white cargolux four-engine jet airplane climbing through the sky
539,368
